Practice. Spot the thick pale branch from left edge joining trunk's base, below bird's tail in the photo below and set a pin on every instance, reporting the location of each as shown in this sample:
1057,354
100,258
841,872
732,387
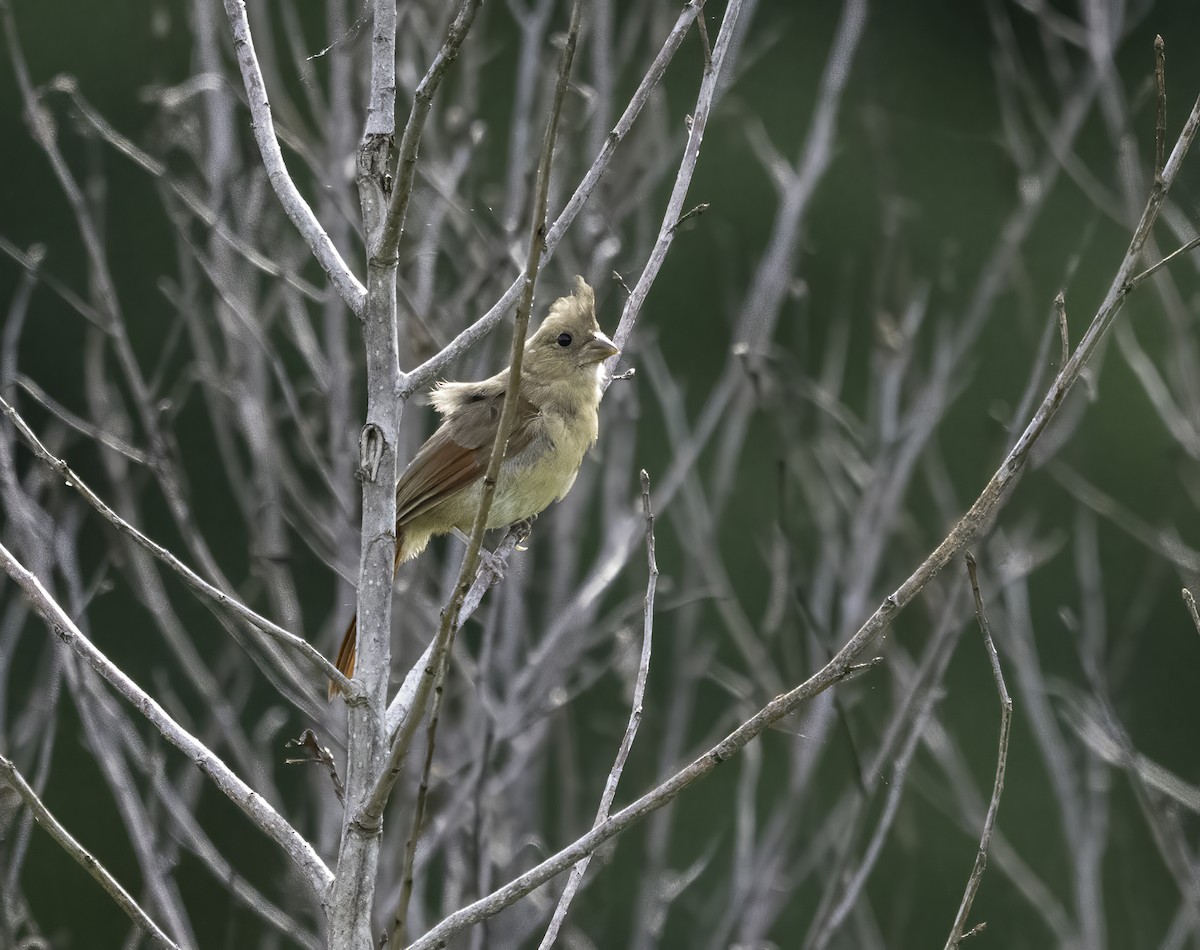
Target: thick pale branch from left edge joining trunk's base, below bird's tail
254,805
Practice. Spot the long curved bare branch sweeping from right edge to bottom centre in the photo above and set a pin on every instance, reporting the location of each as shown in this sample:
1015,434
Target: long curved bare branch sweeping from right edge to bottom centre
977,518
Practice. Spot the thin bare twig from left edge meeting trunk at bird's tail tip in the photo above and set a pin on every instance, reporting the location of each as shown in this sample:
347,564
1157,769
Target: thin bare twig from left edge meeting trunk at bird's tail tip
189,576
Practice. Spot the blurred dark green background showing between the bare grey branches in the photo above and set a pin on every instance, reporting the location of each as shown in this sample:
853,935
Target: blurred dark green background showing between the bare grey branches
920,151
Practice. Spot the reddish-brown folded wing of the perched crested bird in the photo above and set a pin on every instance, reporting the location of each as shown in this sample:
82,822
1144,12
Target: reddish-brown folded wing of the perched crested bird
457,455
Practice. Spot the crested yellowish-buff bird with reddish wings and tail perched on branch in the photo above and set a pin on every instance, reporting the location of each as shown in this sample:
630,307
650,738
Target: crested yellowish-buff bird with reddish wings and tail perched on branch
557,422
